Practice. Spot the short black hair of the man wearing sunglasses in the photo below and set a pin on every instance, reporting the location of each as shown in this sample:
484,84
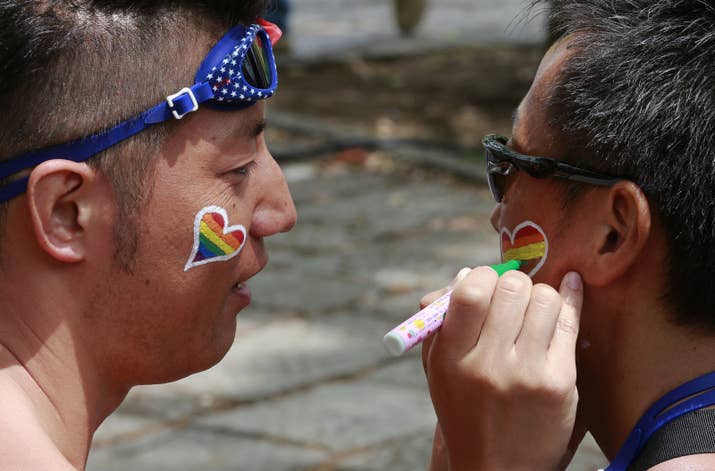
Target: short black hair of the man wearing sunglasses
637,100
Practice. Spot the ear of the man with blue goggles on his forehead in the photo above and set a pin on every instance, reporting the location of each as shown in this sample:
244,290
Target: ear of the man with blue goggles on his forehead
59,200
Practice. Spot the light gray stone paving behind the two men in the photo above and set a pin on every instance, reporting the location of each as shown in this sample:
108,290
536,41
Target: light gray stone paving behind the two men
308,384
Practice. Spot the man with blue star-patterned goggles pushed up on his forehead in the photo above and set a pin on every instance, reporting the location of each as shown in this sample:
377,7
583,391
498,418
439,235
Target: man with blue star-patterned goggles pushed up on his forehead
129,268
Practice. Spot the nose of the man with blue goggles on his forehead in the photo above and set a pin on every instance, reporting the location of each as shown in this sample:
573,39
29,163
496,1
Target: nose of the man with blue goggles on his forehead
275,211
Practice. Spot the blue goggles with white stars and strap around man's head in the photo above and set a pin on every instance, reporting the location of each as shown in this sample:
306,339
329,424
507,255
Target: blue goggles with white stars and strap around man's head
239,71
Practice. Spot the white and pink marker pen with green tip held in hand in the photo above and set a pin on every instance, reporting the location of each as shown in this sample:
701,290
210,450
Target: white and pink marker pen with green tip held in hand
427,321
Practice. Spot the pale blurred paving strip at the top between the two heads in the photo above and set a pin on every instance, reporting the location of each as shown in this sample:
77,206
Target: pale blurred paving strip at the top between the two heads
339,27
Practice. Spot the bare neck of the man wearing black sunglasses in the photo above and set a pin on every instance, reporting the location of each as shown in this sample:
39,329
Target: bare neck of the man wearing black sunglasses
641,357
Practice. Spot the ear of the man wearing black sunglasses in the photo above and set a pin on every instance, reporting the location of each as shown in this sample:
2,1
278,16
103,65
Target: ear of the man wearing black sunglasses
622,225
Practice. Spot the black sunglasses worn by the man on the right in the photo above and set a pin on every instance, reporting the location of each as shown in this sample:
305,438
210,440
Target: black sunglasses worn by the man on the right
503,161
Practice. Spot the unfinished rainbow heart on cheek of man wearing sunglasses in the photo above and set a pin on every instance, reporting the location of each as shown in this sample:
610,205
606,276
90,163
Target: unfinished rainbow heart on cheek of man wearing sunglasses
527,243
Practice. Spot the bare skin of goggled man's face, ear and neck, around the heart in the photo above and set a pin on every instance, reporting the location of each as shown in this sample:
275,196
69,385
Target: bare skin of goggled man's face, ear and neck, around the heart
76,333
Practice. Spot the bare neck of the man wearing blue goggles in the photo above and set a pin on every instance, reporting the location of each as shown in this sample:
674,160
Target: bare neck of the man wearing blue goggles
53,381
